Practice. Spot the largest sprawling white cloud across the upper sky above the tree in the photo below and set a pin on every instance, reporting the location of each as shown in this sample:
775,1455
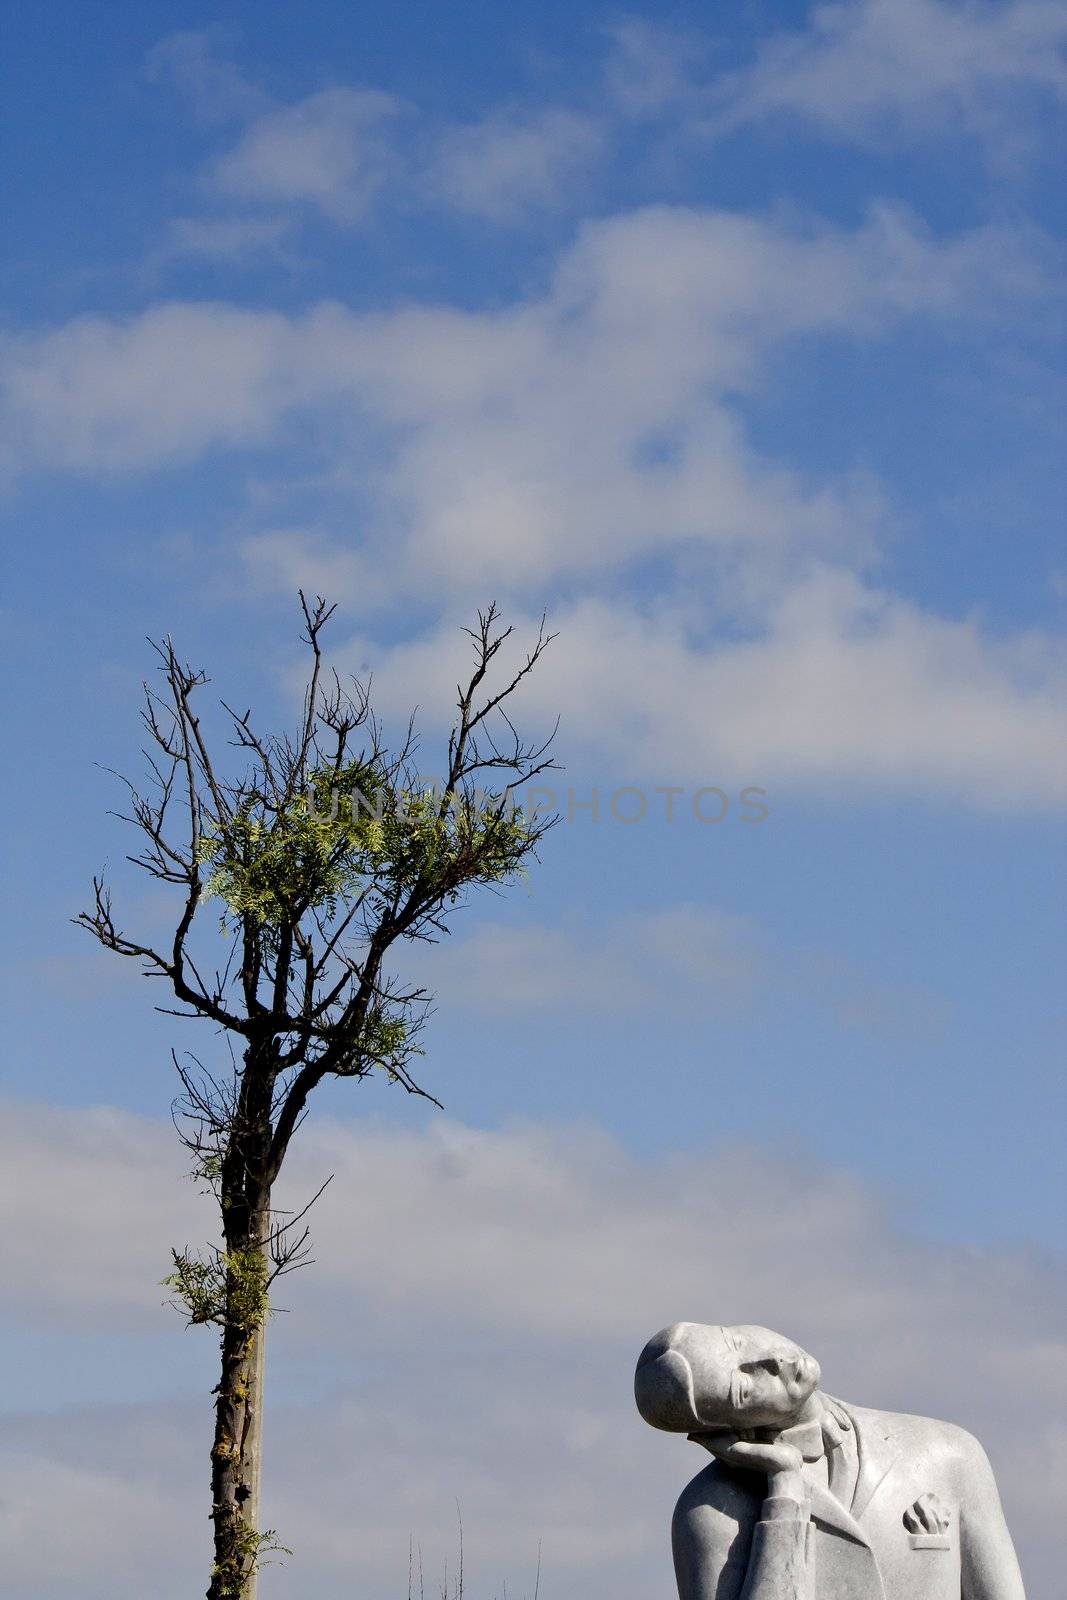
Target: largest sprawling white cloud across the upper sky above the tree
583,431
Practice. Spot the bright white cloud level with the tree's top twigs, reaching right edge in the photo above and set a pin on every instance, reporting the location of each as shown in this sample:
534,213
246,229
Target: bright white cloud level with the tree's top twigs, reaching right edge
842,689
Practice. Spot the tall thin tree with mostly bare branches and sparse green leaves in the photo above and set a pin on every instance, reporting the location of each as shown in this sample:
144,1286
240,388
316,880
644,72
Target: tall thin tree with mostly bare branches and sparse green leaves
326,850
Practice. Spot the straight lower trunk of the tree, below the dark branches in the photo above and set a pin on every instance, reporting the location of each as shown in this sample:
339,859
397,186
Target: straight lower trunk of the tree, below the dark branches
236,1454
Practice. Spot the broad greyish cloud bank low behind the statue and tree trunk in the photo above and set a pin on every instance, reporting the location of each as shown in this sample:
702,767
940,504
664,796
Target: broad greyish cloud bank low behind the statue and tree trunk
470,1330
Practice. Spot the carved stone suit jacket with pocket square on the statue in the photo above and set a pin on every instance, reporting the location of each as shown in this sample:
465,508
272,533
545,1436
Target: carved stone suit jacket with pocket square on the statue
732,1543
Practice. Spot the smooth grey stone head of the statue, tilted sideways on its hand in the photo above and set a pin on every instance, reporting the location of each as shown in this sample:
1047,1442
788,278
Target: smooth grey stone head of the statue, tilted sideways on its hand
697,1377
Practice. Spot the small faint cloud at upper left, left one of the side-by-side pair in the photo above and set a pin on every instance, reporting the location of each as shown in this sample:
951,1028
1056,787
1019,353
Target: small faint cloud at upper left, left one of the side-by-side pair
330,151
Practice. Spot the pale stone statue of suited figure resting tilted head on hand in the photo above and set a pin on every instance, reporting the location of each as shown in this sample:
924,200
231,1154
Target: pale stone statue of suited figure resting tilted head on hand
810,1498
